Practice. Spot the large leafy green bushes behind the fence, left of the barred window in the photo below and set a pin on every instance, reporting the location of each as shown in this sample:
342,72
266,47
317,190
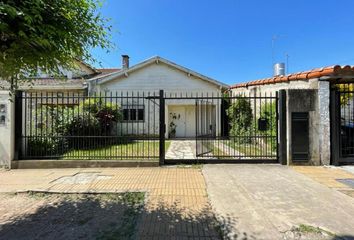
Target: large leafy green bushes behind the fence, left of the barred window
64,127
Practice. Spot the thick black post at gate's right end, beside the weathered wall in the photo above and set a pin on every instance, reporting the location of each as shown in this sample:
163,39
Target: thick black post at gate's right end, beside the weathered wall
282,150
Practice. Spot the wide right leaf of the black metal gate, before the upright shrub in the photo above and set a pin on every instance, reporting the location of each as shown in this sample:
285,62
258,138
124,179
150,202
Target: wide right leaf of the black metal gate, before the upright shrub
252,121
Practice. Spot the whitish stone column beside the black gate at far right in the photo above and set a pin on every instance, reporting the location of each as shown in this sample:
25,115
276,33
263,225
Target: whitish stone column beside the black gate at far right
324,122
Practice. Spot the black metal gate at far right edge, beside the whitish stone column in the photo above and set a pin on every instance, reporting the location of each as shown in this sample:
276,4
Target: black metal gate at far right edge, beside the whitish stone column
342,101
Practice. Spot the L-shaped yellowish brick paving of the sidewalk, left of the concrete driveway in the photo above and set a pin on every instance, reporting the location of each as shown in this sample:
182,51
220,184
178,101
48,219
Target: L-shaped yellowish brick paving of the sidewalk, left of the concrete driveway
177,203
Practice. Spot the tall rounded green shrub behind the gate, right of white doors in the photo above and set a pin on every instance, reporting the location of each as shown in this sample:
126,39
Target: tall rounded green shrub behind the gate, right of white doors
241,119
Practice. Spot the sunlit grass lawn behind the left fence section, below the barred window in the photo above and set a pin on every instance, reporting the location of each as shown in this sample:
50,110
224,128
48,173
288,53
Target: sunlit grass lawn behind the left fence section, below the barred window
136,150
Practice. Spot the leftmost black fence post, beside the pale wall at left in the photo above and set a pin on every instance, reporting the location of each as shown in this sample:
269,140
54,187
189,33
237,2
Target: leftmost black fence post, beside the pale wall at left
18,125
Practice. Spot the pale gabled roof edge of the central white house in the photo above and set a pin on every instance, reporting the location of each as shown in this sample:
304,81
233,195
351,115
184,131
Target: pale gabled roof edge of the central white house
156,59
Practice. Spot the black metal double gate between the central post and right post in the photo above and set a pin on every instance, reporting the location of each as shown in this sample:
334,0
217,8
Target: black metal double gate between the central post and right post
229,128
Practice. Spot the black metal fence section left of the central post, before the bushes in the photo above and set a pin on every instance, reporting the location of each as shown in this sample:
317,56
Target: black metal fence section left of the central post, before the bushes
101,126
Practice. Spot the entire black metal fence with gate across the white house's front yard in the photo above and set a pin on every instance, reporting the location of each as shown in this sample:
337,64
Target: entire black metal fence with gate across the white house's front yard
165,127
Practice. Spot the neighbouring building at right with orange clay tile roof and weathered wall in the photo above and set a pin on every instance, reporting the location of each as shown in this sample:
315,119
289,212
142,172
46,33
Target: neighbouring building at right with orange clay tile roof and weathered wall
314,133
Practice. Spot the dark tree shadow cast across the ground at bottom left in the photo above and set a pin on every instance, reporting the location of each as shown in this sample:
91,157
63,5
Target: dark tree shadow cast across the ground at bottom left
109,216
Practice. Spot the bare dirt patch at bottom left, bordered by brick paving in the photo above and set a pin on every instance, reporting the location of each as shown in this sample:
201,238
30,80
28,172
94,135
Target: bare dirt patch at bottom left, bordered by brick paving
69,216
